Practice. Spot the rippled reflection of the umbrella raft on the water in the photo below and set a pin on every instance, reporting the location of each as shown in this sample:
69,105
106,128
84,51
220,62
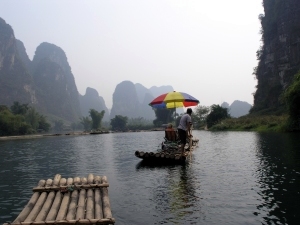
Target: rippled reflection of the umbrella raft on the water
176,194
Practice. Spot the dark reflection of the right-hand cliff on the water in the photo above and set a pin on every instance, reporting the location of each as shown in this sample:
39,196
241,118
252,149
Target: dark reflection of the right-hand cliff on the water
277,182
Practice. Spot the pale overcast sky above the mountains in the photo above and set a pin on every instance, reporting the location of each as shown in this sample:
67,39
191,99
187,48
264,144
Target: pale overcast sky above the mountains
201,47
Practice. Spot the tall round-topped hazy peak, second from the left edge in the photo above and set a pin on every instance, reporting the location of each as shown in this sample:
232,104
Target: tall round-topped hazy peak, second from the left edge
55,84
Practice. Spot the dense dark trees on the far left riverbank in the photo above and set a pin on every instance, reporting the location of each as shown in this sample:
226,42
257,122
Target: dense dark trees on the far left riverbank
21,119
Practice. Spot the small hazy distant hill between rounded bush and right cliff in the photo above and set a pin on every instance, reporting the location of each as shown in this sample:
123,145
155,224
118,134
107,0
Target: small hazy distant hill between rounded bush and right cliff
237,108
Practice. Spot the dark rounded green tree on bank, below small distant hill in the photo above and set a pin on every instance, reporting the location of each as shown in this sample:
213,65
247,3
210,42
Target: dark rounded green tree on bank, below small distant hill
217,113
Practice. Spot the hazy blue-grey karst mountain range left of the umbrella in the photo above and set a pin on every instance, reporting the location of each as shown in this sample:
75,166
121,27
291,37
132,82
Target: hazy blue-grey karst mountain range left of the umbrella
47,83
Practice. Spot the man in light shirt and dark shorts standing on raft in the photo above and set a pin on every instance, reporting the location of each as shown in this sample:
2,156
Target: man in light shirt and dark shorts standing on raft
184,128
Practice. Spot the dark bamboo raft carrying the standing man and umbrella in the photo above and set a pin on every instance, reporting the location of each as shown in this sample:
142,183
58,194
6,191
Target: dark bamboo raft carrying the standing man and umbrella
170,155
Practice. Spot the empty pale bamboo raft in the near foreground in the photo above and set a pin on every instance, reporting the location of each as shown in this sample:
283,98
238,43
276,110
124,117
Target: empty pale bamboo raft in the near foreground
68,201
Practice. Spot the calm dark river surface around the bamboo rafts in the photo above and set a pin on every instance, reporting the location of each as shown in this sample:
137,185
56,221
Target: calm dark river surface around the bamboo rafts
233,177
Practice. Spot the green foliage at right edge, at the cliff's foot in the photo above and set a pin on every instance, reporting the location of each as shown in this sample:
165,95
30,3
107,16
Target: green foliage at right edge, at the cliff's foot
291,96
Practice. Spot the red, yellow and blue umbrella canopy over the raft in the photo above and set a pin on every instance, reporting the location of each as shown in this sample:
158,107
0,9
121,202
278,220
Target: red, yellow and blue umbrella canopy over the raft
174,100
